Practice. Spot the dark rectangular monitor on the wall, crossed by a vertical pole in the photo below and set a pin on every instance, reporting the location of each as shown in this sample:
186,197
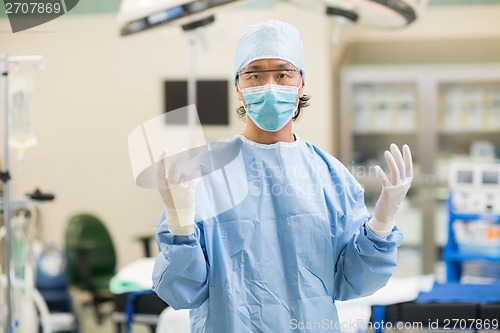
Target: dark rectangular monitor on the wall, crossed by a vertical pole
211,100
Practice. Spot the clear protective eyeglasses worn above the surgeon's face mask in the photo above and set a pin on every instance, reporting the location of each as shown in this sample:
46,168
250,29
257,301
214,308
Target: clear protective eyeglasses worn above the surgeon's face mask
285,77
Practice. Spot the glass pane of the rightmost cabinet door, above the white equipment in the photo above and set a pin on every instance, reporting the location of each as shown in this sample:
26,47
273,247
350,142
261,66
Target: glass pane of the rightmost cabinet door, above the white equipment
468,116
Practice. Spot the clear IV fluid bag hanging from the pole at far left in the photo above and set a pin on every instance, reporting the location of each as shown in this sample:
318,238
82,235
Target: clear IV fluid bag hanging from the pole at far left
21,134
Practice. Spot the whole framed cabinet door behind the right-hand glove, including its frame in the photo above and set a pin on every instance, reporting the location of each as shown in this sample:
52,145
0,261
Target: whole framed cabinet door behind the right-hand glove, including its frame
384,105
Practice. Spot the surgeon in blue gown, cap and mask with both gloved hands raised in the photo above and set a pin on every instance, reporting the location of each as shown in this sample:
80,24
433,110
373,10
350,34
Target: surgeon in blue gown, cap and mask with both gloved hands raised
301,239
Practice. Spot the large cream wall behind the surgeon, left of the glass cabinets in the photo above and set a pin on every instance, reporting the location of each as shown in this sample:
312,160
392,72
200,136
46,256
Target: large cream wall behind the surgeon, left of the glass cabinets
98,87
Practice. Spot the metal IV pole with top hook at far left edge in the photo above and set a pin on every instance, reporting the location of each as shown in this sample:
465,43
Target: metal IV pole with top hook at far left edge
5,178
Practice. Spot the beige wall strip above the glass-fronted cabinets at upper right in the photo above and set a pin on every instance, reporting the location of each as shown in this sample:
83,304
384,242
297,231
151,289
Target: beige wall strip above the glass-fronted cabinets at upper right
454,26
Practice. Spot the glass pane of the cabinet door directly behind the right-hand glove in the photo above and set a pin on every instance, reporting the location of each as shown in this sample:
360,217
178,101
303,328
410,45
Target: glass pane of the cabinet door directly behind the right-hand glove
381,114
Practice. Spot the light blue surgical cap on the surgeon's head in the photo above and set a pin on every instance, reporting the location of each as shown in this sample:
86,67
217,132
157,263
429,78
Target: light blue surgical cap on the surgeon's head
269,40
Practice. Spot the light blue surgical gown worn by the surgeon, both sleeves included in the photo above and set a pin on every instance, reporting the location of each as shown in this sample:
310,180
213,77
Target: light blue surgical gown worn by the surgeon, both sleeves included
278,260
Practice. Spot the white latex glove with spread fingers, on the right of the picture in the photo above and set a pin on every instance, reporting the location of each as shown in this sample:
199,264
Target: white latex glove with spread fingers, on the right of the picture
393,190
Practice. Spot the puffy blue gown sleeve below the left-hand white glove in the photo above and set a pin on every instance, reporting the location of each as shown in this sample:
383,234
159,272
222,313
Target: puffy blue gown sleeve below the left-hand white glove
180,274
